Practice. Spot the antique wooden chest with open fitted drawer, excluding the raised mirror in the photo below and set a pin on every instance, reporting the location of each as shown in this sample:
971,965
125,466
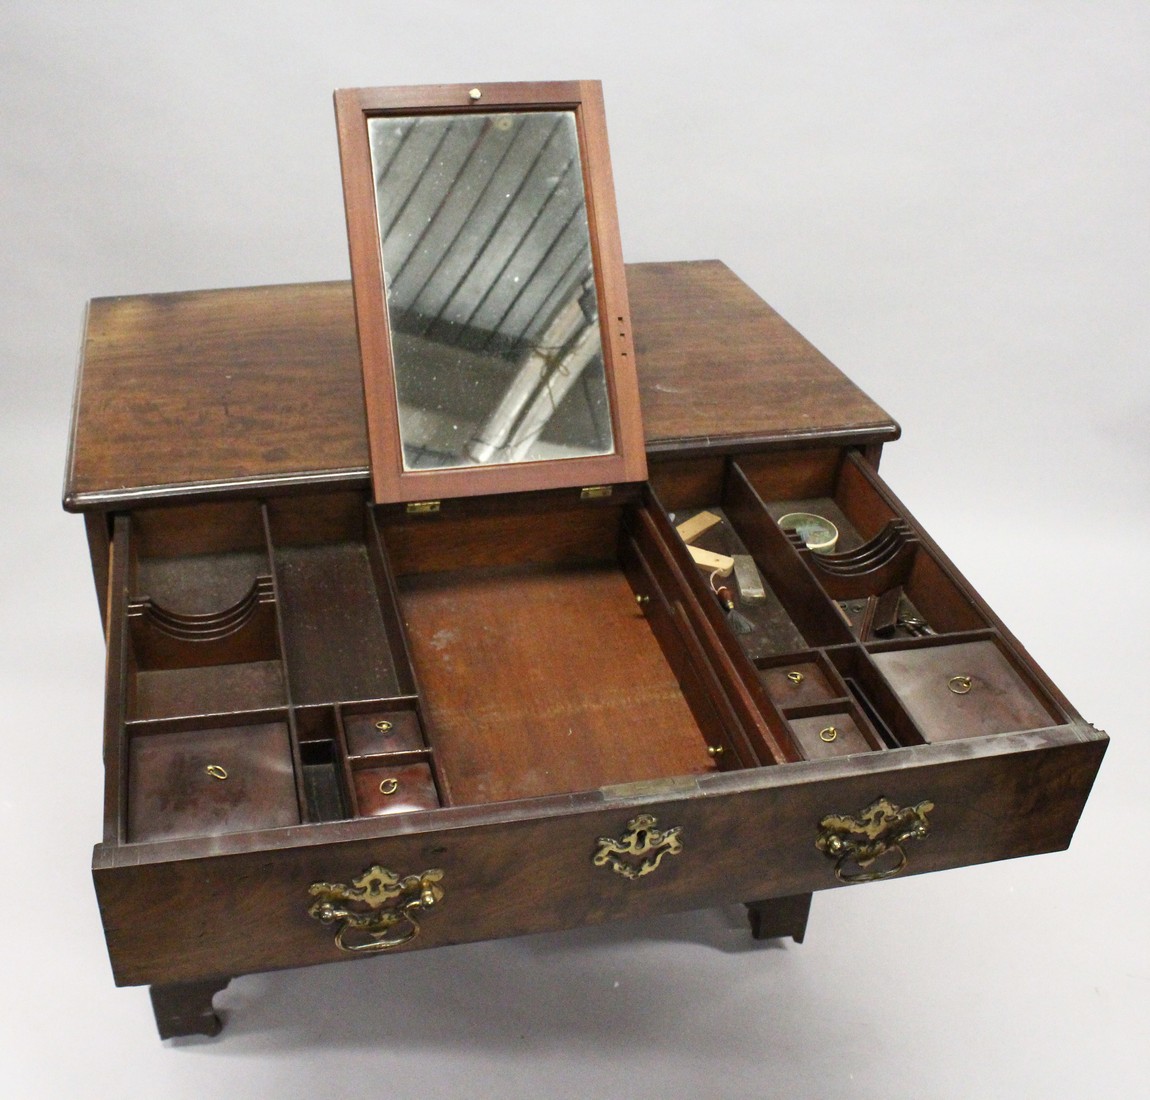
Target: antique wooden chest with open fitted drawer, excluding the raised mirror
338,728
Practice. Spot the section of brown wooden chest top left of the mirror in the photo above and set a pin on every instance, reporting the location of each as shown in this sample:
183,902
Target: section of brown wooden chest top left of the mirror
231,386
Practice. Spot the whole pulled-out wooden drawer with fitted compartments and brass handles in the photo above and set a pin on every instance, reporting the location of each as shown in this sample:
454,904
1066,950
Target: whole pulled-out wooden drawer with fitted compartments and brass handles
338,729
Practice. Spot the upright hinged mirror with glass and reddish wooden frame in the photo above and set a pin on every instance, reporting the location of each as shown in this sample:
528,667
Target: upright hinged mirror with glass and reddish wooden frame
490,296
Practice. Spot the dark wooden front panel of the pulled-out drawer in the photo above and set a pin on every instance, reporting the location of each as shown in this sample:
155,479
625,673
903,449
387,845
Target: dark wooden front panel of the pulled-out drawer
542,866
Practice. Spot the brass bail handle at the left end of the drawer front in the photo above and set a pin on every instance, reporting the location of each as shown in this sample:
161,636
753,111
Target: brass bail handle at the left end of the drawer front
380,909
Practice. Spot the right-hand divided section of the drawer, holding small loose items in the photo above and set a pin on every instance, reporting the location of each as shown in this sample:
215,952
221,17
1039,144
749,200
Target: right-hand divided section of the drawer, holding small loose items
884,586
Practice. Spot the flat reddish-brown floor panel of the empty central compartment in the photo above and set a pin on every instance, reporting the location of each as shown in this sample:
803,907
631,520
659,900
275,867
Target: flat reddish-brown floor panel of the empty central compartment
533,679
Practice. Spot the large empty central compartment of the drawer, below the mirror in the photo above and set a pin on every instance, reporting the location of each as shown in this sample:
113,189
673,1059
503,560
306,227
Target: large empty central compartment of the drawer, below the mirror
538,667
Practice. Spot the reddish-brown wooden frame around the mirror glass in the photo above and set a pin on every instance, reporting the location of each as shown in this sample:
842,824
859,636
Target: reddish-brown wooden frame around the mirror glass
392,481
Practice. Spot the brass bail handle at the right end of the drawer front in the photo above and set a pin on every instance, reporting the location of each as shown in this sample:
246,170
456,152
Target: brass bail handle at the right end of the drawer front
875,834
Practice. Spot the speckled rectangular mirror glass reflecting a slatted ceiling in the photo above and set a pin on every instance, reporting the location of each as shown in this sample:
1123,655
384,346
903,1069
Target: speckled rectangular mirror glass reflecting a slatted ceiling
492,299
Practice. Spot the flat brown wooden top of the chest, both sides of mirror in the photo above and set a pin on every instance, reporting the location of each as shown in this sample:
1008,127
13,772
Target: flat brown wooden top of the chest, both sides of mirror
260,388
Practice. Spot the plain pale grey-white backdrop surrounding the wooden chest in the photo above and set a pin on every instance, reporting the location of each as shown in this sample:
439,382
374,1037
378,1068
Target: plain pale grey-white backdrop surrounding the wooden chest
949,201
